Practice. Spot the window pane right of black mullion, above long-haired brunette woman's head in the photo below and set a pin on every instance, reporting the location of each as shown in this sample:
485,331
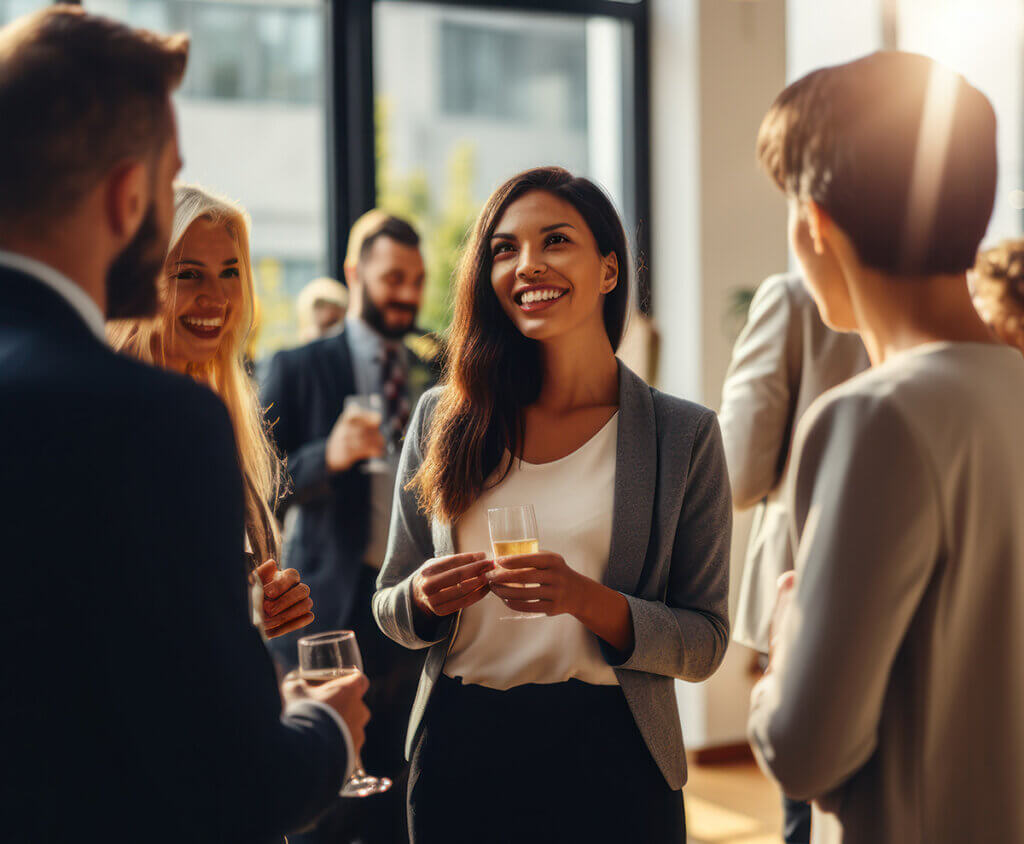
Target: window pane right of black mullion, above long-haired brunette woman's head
467,98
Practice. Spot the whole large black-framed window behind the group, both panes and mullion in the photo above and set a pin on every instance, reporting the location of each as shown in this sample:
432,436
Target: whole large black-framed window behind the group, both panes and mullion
311,112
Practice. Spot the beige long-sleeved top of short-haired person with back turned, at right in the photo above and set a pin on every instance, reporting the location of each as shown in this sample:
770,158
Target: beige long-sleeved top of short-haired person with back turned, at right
897,700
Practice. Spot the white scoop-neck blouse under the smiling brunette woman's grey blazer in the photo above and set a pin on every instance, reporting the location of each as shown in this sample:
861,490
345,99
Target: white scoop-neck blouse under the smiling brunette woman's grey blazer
573,498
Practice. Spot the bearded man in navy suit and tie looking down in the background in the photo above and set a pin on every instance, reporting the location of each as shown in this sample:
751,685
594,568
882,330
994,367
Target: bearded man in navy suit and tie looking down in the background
337,536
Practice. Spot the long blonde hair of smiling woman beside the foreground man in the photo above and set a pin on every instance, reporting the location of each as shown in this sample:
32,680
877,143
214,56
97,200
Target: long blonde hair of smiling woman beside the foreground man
226,373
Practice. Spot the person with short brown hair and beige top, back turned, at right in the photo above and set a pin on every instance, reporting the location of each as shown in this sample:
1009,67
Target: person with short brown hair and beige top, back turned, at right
894,694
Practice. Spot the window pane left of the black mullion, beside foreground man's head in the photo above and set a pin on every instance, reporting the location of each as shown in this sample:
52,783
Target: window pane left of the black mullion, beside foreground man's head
251,125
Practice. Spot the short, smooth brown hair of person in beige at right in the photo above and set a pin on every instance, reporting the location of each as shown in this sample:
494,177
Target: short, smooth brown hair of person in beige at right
848,139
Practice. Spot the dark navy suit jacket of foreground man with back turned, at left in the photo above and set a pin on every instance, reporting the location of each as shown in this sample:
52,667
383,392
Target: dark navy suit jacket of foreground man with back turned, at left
140,703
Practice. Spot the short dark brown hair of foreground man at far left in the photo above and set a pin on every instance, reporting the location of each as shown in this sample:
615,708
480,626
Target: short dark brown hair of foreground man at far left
79,94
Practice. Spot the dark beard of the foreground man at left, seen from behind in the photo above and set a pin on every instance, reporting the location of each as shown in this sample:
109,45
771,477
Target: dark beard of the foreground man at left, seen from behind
132,282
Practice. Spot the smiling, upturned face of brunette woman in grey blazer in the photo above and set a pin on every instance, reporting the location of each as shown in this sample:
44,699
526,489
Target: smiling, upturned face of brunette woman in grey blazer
547,271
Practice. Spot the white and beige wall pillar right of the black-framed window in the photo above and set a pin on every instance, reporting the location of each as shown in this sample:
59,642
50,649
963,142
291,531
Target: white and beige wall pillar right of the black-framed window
718,226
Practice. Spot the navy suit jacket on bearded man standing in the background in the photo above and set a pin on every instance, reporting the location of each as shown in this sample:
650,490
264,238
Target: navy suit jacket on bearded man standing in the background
305,393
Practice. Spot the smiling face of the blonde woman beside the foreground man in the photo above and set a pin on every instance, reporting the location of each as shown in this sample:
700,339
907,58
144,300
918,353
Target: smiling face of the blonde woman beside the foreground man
203,301
